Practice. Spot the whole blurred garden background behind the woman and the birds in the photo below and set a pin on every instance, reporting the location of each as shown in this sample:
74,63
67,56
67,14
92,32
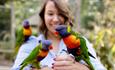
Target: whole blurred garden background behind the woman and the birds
95,19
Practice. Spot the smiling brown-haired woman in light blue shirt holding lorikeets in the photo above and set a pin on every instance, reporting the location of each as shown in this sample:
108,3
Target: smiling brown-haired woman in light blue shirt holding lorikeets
54,12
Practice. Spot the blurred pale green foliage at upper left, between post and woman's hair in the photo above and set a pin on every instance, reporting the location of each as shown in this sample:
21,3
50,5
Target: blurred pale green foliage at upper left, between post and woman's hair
25,9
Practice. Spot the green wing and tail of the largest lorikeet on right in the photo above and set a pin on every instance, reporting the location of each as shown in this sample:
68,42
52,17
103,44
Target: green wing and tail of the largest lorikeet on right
84,50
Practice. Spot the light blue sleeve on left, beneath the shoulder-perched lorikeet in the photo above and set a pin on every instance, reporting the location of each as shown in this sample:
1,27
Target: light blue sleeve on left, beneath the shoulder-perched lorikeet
24,51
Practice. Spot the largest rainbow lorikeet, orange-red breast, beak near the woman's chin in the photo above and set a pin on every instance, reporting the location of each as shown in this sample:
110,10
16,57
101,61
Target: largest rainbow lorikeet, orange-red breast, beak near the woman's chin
76,44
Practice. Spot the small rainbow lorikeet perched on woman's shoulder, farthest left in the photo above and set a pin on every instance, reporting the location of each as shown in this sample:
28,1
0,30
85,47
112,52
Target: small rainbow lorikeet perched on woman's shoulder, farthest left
23,34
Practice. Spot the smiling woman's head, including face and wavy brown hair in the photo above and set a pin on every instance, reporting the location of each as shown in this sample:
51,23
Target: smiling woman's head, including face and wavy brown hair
53,10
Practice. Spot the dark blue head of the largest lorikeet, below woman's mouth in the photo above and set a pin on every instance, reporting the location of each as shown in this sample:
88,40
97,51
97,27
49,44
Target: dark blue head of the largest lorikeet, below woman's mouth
62,30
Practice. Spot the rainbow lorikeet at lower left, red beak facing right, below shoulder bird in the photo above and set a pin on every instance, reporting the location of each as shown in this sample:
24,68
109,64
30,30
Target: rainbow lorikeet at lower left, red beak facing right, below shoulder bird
37,54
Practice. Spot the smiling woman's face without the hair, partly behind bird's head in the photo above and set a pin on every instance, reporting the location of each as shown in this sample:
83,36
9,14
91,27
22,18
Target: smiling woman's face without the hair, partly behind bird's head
52,17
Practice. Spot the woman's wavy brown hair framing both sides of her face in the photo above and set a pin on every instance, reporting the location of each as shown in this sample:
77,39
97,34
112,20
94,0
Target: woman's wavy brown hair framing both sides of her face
63,10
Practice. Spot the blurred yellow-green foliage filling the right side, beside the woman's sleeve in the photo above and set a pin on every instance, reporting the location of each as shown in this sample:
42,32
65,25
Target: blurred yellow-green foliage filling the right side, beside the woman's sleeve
98,18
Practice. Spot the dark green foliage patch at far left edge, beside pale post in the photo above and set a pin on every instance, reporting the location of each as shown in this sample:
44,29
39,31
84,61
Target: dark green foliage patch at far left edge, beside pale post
5,23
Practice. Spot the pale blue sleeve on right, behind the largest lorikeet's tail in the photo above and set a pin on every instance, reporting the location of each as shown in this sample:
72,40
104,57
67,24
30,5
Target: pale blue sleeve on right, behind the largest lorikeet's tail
96,62
